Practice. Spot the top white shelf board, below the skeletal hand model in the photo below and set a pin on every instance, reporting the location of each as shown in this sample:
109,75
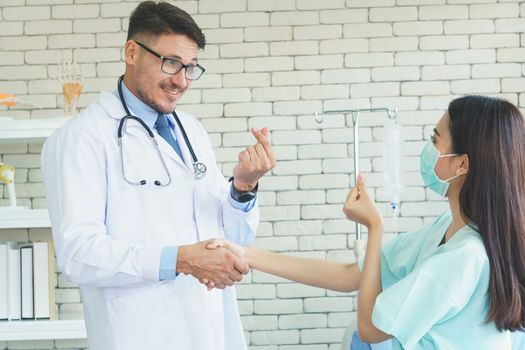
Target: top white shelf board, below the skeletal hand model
25,130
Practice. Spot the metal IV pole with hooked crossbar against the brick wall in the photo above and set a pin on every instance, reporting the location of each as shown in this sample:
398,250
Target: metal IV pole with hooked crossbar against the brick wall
359,244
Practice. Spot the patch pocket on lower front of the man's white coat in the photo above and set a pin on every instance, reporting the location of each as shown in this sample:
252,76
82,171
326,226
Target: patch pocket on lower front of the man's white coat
154,311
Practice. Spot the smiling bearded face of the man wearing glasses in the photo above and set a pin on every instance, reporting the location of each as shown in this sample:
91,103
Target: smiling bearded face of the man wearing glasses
144,77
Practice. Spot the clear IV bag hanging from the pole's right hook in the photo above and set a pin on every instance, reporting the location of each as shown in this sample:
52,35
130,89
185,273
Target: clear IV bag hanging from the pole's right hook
392,163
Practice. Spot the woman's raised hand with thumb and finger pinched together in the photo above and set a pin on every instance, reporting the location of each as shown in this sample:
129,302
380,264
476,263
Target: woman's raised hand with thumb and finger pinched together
360,208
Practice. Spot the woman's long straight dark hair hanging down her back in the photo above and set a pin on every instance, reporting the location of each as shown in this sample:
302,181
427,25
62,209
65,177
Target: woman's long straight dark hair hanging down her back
491,132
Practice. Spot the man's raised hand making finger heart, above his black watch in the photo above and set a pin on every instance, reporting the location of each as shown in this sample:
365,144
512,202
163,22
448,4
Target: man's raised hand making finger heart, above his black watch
254,162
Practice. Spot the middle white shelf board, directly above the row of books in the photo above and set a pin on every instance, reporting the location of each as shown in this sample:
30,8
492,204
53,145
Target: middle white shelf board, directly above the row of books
23,218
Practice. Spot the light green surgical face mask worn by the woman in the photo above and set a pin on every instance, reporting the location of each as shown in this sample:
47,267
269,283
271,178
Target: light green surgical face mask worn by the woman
428,160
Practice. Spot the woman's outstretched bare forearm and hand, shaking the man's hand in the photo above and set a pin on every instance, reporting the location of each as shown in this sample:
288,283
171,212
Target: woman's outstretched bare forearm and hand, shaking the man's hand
342,277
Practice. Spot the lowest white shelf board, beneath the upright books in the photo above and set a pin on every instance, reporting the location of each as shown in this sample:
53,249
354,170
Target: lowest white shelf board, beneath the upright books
42,330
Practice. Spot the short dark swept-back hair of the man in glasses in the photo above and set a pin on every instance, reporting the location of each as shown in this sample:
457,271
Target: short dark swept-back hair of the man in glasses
154,19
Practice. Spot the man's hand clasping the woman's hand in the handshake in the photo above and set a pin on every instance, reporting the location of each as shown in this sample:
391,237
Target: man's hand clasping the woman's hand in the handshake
219,266
